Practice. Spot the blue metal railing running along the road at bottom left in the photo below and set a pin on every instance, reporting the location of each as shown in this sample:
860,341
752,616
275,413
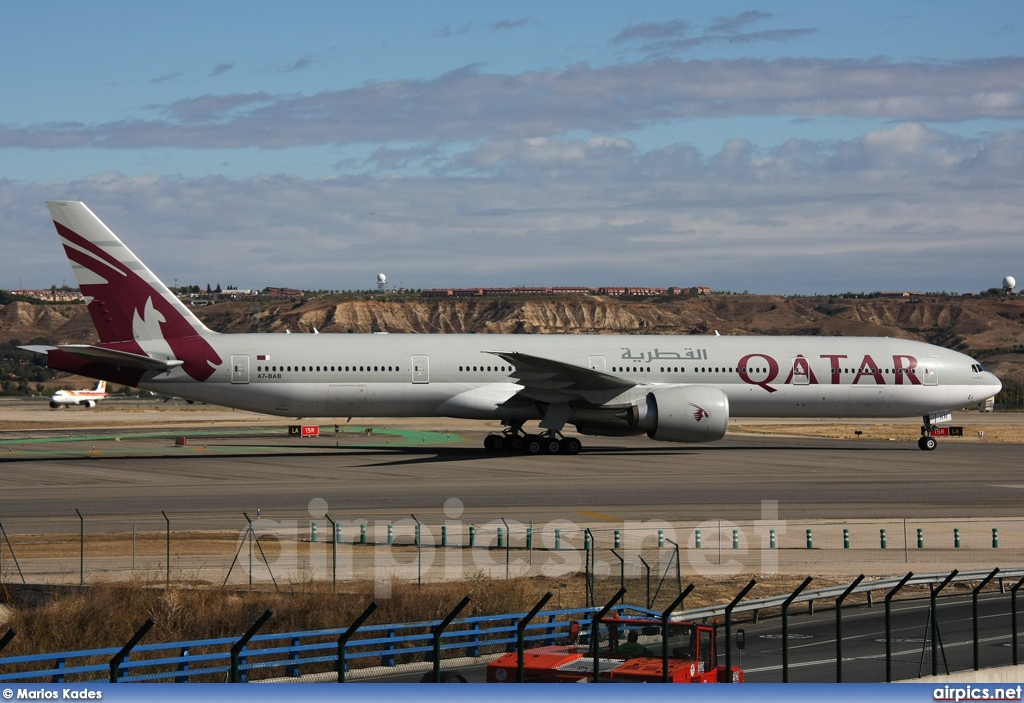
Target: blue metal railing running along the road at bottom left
290,652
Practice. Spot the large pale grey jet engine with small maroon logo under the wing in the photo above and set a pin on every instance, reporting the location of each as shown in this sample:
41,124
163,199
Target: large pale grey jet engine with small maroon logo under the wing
685,414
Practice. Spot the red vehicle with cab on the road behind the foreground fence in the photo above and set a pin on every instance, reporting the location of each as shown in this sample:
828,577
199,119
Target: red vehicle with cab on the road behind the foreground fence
629,650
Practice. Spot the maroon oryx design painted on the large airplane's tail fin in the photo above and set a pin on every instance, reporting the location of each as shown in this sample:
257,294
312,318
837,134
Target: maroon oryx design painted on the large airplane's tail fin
123,297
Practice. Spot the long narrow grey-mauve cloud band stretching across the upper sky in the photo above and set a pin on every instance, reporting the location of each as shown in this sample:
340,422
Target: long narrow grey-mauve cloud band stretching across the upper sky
468,106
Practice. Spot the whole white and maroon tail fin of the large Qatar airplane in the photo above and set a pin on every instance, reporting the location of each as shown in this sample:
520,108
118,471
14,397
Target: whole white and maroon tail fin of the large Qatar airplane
133,311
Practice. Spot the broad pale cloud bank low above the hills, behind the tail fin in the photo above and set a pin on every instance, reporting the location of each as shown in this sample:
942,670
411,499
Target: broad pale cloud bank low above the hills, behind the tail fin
904,208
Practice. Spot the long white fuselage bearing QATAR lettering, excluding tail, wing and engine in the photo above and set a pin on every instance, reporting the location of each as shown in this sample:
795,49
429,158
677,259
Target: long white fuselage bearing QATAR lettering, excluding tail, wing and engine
337,375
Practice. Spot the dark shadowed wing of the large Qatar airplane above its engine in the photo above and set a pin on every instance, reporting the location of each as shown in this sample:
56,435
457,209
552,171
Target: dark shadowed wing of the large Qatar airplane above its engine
550,381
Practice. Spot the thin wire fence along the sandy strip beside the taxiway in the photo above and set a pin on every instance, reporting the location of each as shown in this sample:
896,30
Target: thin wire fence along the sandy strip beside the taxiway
651,558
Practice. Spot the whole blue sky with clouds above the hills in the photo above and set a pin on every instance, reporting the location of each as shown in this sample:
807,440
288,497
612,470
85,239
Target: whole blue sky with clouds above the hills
776,147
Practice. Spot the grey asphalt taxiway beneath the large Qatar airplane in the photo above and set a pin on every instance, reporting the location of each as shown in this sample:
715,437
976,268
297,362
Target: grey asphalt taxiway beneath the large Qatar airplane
615,479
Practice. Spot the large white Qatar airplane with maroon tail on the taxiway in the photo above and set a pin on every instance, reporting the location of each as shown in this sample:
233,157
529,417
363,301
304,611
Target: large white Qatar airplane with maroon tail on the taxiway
672,388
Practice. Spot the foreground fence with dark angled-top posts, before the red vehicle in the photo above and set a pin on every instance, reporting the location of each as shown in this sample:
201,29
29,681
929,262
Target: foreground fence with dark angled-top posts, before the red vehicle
867,631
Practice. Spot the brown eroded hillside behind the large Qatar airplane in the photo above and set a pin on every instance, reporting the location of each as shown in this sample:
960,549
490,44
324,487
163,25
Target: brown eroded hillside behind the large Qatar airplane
988,328
